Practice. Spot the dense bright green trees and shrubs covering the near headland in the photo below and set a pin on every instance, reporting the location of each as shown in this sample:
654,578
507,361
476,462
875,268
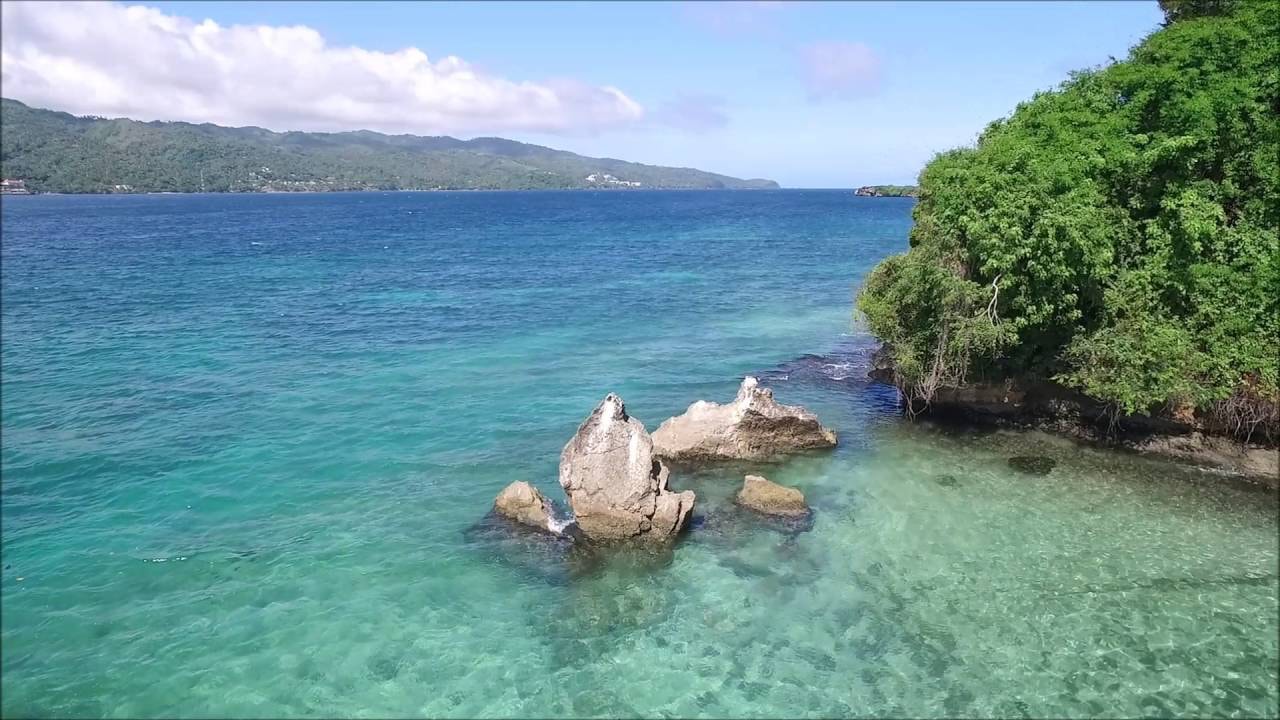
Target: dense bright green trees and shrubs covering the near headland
1118,235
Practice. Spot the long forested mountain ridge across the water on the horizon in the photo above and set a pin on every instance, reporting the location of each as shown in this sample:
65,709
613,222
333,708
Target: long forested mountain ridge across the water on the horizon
54,152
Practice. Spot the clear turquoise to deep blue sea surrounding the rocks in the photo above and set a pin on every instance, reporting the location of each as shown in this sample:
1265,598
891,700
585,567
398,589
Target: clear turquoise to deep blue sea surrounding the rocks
250,445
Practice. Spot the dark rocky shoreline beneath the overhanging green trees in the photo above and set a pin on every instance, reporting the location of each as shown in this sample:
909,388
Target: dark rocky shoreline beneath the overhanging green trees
1053,408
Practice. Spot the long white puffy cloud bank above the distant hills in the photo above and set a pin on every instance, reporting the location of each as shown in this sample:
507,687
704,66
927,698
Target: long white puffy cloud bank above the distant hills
113,60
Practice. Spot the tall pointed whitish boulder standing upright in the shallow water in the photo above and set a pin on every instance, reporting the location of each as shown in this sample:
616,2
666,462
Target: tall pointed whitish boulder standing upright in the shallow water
615,485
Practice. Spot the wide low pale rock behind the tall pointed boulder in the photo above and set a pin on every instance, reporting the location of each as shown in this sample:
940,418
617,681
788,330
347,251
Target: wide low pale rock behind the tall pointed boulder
753,427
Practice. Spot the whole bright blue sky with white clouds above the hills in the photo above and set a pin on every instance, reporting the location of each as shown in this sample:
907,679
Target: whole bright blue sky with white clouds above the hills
808,94
